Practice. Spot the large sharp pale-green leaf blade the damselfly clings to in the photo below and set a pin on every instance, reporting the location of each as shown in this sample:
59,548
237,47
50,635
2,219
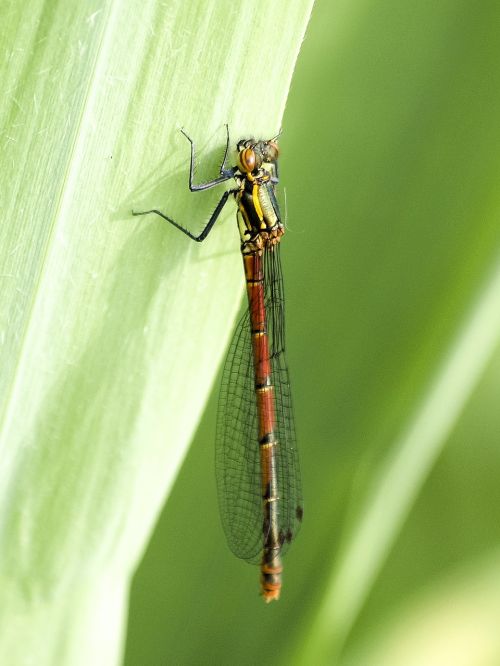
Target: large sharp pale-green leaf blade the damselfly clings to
112,327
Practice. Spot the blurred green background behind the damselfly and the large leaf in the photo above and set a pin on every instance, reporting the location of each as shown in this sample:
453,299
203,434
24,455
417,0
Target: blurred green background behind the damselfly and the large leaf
390,159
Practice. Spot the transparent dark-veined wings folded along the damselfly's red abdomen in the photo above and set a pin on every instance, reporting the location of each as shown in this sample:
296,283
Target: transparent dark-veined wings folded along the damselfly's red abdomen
237,446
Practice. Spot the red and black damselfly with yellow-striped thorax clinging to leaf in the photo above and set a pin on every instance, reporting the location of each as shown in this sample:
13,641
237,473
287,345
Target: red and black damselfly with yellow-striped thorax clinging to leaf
257,466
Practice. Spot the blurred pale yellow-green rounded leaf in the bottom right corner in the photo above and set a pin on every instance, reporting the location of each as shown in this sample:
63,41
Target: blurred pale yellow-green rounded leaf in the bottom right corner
452,621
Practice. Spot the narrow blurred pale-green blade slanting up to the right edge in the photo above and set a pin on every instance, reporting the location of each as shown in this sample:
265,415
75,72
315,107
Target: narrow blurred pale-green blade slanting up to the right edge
401,474
